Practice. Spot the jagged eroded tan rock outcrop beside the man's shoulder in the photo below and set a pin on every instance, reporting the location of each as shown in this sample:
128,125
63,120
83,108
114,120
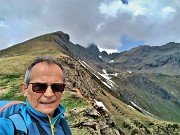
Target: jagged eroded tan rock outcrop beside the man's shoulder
96,120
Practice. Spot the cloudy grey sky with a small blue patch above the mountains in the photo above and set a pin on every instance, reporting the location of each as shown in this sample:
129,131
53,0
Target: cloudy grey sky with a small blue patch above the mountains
113,25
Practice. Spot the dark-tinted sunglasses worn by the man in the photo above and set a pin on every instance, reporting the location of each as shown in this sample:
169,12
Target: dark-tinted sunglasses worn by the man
42,87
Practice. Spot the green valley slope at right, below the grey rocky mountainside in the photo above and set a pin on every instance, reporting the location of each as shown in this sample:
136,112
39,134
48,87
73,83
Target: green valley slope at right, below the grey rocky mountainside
145,96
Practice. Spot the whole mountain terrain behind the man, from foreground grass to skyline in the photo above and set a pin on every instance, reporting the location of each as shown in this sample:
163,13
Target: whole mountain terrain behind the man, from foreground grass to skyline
140,98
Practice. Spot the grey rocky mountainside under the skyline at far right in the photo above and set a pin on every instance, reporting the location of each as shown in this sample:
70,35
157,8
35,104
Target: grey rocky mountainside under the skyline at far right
156,59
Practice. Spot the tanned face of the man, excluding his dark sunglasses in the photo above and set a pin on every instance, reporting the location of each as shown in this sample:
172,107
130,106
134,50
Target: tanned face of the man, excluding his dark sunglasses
48,101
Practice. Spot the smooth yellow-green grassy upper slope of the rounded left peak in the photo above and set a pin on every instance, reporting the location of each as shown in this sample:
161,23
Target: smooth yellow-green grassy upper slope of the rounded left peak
43,44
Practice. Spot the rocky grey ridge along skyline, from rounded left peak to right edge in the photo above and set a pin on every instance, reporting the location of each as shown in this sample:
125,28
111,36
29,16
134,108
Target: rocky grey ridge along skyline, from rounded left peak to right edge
158,59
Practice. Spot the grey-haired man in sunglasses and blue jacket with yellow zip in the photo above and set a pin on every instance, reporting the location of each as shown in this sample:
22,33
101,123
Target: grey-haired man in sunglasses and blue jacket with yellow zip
43,86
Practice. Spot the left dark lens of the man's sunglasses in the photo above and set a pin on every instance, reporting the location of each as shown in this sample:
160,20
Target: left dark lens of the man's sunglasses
39,87
